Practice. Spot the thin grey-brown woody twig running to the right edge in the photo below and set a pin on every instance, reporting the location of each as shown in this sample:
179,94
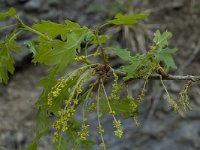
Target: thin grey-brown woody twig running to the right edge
169,77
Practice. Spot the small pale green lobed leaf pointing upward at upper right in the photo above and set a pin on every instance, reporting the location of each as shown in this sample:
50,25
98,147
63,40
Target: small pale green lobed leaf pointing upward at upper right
161,40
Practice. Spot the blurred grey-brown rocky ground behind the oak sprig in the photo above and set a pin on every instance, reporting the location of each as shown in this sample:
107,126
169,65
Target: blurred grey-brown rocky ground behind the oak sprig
160,128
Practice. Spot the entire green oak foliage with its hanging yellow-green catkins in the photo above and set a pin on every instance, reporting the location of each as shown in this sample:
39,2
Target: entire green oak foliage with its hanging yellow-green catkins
64,92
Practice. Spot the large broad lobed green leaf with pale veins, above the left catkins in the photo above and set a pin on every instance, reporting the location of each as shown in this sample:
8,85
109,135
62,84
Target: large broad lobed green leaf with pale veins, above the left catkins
56,52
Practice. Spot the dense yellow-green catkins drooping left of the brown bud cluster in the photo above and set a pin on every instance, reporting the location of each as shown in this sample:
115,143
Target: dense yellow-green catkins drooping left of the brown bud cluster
71,87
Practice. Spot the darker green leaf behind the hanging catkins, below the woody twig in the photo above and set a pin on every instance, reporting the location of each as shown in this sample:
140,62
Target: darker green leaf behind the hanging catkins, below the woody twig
121,107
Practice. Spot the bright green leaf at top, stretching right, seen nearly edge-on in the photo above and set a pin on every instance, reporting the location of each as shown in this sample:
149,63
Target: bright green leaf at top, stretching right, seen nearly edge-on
128,19
